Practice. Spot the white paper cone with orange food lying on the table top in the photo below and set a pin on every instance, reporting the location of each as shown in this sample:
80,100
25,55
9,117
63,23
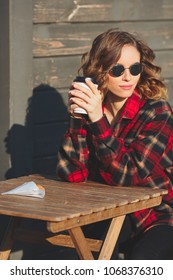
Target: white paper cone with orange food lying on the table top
28,189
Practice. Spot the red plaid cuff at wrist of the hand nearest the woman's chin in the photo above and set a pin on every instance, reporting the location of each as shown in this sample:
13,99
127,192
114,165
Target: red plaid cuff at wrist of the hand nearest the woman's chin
100,128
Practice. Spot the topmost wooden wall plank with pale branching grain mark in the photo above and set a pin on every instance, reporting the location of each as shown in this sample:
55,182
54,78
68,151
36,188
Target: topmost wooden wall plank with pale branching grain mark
99,10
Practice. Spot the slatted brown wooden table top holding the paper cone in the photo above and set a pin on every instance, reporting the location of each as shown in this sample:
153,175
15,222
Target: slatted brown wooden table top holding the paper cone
64,201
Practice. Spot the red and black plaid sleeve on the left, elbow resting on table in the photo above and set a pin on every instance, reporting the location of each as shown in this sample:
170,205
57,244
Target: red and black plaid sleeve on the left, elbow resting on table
73,154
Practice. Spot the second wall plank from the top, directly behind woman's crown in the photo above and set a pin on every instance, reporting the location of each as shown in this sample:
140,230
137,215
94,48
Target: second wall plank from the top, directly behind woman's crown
62,39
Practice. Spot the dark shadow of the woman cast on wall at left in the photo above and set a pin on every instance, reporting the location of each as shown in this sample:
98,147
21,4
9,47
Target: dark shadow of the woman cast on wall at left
33,147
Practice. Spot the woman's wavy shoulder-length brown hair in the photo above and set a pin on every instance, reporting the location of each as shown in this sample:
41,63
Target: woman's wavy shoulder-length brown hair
106,50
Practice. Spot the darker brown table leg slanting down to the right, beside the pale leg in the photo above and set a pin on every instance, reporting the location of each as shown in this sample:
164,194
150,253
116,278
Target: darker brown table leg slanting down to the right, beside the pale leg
80,243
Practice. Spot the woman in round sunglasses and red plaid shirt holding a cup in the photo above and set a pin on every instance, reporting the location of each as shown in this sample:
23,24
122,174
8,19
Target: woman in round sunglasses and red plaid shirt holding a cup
127,137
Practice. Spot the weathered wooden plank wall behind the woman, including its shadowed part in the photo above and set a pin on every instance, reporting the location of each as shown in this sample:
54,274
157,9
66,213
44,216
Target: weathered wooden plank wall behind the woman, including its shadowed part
62,31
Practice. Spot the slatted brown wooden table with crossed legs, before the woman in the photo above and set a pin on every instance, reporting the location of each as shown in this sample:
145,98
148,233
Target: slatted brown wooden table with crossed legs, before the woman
66,207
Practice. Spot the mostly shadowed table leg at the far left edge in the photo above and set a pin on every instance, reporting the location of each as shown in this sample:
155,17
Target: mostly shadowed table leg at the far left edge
7,242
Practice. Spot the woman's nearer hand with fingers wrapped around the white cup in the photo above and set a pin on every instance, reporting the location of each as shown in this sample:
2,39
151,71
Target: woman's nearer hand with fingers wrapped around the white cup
88,98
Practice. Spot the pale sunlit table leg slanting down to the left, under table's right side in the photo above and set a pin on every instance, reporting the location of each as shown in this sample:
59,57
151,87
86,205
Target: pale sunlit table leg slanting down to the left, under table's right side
111,238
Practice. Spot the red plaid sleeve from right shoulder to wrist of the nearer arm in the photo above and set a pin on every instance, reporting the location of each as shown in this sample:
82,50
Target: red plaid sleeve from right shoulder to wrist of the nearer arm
150,149
